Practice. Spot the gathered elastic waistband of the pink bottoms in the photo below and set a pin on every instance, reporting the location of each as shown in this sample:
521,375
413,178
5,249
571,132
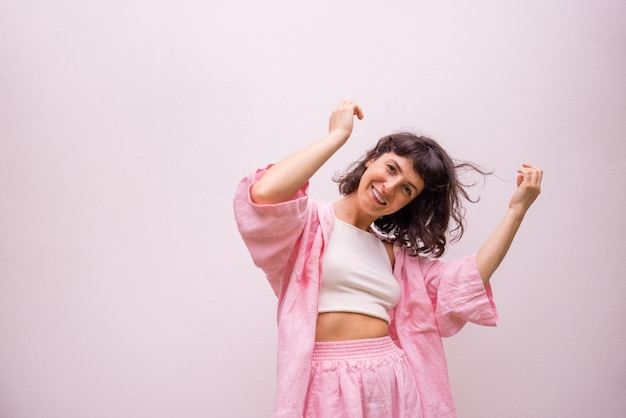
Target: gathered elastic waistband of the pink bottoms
355,349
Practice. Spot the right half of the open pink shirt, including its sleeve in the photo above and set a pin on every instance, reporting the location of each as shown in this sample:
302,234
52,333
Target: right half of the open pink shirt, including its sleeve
438,298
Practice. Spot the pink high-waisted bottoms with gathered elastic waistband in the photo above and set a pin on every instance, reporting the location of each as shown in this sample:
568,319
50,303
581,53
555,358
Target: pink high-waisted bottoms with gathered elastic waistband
361,379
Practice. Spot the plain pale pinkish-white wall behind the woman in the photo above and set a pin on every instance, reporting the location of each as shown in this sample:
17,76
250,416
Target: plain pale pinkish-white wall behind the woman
125,289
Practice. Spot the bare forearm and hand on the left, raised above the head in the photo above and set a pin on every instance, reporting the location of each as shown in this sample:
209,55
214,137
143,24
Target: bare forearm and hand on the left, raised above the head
285,178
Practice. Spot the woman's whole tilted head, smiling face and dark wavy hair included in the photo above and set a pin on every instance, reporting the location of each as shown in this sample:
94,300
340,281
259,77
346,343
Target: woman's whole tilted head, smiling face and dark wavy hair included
422,220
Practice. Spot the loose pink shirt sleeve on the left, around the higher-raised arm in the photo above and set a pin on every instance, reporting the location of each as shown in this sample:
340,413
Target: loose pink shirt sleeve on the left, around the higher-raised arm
269,231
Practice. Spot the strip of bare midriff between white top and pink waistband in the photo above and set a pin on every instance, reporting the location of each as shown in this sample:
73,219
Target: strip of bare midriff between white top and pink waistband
344,326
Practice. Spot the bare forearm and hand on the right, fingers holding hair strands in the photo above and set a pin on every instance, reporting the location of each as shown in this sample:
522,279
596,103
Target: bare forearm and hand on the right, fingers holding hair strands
491,254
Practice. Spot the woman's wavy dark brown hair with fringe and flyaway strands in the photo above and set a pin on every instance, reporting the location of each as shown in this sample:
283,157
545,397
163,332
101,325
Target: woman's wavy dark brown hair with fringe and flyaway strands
424,224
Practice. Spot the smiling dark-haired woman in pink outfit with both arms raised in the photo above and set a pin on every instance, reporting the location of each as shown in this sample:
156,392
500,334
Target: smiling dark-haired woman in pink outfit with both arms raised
363,300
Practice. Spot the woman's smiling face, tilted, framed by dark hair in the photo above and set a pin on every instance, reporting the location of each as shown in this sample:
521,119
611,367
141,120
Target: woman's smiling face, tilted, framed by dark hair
388,184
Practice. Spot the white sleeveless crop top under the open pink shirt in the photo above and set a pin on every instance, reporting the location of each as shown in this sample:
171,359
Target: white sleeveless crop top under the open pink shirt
356,274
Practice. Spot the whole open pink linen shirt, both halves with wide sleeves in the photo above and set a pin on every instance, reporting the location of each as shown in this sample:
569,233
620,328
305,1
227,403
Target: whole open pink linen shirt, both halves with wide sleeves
286,241
